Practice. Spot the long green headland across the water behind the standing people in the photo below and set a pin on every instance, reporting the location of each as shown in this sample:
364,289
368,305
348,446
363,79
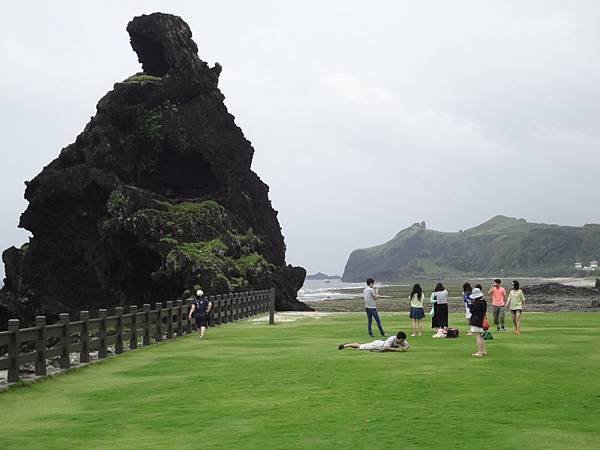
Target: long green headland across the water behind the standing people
502,245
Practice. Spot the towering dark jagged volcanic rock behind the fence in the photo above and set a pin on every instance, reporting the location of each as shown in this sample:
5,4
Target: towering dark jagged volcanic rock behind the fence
156,196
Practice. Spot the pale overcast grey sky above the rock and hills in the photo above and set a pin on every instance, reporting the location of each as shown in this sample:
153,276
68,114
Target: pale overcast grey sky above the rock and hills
365,117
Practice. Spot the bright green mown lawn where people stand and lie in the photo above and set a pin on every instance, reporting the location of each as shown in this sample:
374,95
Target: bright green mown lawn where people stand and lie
287,386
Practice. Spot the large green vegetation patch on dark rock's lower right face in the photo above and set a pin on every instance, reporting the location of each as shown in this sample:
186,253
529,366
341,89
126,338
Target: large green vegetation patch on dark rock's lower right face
197,241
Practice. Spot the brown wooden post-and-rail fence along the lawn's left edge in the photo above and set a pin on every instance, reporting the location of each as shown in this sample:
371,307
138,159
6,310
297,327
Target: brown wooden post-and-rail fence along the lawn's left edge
38,343
